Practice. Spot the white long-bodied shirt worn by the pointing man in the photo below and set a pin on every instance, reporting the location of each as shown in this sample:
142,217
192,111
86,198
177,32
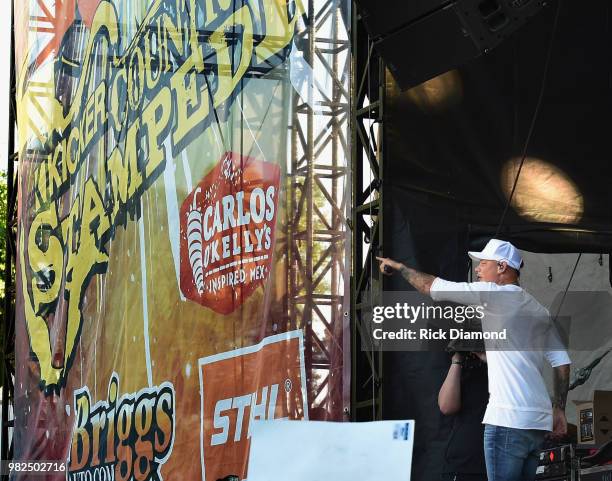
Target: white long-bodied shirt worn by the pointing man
518,395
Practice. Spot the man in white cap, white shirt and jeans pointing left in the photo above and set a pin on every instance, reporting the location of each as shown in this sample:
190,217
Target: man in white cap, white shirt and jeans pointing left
519,413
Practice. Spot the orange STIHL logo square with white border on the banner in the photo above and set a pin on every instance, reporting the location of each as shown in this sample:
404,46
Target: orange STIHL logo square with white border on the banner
265,381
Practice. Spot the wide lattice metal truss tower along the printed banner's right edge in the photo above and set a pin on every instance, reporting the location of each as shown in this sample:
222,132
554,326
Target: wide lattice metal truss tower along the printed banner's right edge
319,191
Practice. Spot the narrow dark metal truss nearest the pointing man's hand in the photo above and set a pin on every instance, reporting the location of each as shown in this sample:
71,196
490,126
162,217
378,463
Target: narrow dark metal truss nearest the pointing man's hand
367,220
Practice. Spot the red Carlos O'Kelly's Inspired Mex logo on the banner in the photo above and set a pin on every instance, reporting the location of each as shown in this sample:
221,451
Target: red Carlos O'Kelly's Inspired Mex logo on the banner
227,232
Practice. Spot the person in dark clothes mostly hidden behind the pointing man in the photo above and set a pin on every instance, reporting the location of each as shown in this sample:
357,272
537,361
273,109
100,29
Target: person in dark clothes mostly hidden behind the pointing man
464,395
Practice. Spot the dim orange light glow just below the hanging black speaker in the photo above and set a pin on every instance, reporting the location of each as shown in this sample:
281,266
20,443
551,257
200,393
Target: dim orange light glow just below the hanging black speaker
438,93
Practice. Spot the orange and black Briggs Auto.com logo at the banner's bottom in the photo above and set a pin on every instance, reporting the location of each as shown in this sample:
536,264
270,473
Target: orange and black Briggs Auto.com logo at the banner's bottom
124,438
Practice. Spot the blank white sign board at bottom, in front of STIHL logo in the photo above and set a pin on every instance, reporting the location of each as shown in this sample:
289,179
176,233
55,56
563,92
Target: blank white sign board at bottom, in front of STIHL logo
323,451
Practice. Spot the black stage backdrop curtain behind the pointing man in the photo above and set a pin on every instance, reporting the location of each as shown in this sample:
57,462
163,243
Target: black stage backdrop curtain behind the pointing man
443,168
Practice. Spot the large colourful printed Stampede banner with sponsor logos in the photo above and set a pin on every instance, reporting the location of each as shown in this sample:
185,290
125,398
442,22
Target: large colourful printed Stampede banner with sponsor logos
152,314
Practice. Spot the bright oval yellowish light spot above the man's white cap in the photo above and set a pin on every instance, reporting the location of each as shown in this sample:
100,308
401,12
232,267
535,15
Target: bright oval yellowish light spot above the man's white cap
544,193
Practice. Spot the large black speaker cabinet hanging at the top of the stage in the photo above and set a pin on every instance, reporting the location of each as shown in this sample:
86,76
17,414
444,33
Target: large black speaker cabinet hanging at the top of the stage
424,38
